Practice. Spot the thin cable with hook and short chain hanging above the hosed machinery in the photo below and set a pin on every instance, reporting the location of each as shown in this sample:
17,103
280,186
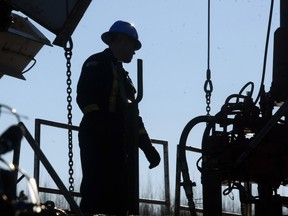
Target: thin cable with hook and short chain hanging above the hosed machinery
208,86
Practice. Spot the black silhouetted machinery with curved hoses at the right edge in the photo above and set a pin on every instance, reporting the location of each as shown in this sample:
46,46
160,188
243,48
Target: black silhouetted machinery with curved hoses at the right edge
246,142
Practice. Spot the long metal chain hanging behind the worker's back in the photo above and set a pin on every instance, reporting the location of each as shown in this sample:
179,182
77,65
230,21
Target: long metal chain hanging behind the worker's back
68,55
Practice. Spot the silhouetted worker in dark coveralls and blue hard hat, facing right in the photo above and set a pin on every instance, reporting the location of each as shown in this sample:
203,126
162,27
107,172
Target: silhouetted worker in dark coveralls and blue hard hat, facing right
103,91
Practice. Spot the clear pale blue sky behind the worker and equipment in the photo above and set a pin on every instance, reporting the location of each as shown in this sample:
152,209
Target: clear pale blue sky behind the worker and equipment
174,38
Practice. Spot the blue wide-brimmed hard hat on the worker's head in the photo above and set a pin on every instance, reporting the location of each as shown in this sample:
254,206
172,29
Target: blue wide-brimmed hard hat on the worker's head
124,28
